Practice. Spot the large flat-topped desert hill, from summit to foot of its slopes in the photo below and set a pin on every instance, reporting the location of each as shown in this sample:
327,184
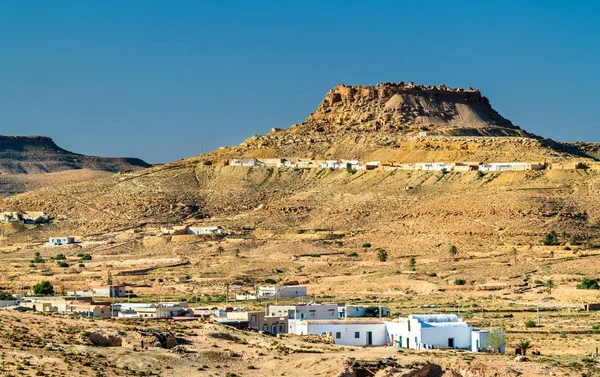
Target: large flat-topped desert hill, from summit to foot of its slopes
354,122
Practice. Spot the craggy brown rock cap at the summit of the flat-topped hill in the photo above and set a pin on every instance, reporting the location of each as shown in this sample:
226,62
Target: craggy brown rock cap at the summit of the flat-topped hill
406,108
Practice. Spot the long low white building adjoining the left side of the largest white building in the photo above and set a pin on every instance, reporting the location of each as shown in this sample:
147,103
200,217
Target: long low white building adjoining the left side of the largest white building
347,333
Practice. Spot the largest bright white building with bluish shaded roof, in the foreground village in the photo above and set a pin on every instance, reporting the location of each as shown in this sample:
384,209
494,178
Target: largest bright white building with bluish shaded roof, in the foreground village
430,331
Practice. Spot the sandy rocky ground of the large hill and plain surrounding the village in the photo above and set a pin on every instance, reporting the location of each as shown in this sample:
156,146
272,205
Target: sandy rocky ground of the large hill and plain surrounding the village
323,228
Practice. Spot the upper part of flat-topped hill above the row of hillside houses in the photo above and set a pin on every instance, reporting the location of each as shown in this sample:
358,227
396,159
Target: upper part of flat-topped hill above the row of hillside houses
405,123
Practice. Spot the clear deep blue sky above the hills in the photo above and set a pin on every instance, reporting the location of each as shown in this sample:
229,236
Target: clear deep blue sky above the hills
163,80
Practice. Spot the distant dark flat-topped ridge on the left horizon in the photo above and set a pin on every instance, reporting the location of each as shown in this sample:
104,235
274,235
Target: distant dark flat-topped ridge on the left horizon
39,154
